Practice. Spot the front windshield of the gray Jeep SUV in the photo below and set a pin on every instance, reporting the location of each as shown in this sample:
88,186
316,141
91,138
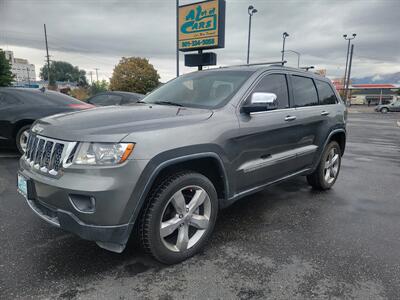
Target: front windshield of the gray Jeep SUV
205,89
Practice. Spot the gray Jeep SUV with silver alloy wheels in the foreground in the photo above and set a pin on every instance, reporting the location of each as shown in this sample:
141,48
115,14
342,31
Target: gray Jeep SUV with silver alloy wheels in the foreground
164,167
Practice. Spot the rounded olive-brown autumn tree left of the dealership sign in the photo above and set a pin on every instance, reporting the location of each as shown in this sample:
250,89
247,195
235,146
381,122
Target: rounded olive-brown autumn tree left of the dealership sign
134,74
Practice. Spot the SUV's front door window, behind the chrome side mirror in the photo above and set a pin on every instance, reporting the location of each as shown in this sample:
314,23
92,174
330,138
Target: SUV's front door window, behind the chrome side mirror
277,84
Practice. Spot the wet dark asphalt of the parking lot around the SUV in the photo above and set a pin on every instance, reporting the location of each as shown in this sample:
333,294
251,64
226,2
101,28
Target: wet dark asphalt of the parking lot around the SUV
288,242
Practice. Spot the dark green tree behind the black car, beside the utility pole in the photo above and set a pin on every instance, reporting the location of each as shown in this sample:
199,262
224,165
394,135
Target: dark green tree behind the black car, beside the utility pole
64,71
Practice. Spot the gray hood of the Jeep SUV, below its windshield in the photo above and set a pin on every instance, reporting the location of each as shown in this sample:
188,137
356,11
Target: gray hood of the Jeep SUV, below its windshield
113,123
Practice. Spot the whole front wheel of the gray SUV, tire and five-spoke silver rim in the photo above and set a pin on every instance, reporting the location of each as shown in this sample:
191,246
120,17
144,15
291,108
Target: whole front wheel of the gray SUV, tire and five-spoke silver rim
172,227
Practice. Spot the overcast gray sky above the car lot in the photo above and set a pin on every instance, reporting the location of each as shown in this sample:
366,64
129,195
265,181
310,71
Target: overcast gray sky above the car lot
95,34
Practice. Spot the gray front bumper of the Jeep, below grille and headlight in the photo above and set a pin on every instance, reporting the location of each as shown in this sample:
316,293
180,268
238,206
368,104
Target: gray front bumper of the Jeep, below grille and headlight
110,187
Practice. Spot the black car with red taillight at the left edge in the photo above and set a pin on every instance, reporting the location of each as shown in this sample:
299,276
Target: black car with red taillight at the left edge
20,107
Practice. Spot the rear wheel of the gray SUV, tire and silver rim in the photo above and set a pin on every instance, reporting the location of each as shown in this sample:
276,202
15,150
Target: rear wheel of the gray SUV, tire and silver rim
319,179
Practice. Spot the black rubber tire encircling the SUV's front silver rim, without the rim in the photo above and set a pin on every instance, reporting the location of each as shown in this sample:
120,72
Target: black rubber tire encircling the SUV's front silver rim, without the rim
158,249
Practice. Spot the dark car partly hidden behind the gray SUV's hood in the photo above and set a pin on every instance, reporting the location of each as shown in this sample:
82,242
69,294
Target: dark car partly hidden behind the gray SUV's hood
114,98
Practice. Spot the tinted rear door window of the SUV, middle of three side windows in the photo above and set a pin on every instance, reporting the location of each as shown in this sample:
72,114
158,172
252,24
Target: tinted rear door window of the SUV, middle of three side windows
304,91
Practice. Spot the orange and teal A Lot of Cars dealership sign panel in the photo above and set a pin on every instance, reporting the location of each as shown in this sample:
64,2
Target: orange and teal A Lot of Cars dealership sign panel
201,25
